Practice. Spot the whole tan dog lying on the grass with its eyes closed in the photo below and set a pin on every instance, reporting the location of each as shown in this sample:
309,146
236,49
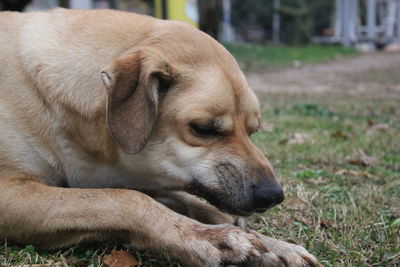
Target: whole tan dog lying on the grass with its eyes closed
105,99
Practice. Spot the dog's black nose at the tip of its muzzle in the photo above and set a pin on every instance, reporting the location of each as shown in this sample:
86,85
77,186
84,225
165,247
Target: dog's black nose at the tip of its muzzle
267,195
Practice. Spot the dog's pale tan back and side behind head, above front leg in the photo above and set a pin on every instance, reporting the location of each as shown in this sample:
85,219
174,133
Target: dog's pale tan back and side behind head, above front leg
50,78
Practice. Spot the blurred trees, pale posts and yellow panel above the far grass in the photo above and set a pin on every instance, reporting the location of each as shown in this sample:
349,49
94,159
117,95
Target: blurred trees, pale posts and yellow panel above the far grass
366,24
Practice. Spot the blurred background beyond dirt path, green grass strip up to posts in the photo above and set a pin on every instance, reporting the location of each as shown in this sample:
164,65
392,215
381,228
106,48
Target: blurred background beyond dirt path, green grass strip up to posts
266,35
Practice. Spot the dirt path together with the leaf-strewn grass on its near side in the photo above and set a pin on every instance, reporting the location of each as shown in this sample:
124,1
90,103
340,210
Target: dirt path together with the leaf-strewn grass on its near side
332,132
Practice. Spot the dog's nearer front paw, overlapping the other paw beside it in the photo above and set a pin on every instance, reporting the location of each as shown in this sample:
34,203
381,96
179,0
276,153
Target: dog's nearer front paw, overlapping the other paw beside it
222,245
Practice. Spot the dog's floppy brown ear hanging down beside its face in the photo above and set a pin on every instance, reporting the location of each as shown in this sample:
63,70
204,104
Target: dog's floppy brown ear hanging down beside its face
135,86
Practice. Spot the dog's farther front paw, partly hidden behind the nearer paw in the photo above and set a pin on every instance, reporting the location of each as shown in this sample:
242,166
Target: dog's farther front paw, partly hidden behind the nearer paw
283,254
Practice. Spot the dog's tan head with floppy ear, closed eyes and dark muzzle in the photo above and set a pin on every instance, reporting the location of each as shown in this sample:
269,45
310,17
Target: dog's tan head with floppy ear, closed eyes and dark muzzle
180,106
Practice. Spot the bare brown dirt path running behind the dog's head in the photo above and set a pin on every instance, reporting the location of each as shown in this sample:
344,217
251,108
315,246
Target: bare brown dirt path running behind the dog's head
370,73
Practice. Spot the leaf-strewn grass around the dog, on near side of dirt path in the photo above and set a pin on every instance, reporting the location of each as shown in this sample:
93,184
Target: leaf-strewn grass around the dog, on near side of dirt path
349,218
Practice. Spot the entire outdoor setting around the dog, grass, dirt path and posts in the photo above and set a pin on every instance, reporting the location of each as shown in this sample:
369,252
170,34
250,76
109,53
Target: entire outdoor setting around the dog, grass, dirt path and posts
327,73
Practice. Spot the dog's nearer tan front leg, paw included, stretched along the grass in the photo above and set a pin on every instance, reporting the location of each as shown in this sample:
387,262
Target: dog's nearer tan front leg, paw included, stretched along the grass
32,212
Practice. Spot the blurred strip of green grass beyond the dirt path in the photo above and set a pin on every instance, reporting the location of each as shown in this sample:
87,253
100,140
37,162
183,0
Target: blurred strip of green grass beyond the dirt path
254,57
